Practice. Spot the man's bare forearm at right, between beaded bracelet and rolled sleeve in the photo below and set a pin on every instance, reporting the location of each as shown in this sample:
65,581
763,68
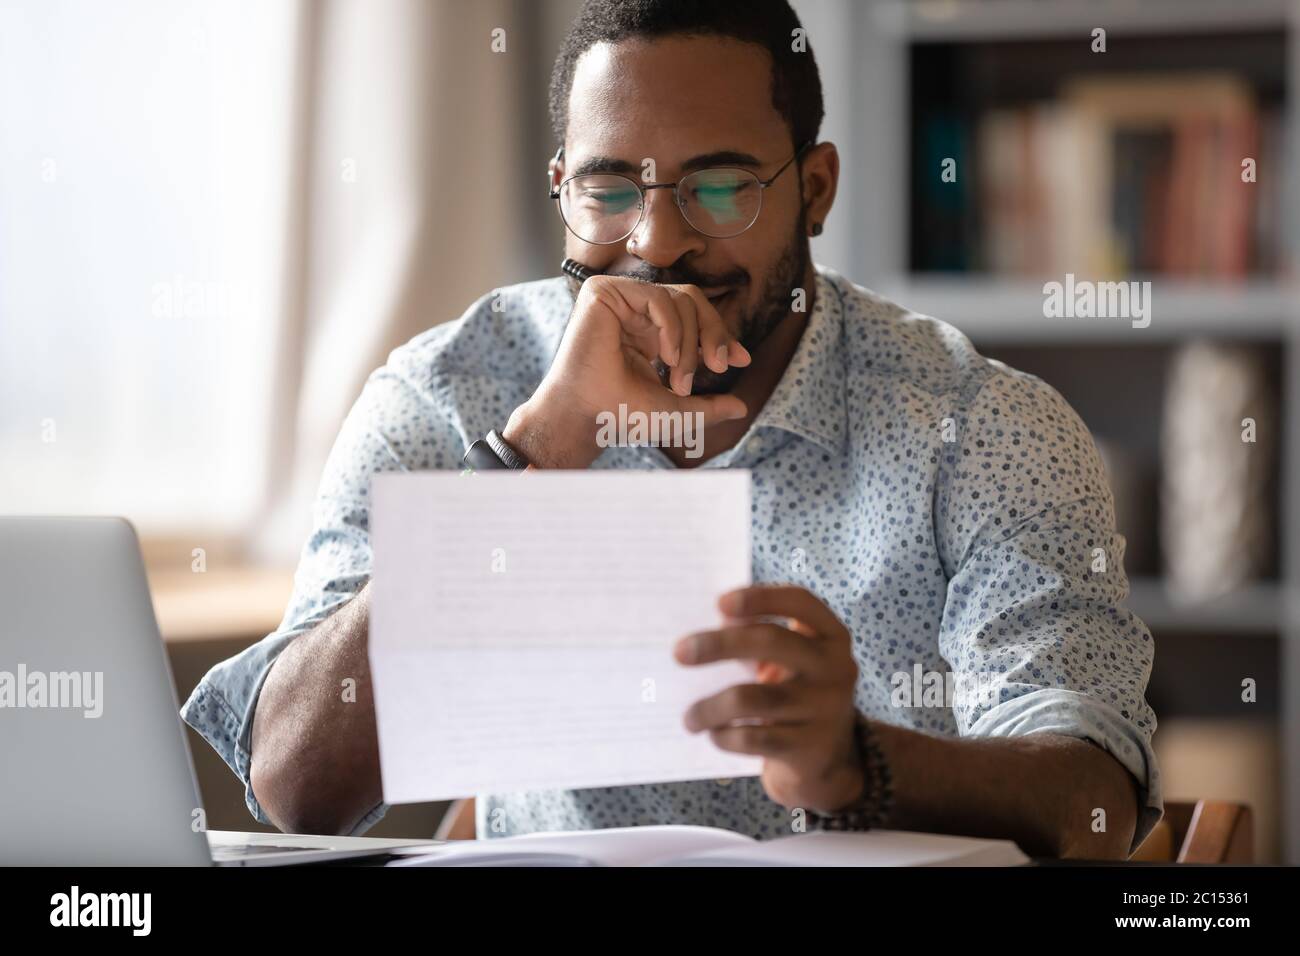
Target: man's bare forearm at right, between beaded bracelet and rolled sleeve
1041,790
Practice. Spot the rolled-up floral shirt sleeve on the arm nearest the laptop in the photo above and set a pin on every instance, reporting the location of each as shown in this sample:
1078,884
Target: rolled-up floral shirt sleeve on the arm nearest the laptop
395,426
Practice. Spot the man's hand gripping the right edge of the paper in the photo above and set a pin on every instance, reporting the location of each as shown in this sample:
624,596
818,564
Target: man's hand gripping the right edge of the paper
800,713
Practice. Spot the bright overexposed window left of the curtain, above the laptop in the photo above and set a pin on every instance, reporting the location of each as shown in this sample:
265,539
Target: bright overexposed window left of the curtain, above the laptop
144,161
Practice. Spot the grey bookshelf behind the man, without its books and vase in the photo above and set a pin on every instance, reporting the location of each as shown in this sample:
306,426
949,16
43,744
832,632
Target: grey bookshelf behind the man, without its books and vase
969,53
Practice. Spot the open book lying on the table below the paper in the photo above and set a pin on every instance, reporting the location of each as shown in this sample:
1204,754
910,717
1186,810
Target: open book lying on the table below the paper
701,846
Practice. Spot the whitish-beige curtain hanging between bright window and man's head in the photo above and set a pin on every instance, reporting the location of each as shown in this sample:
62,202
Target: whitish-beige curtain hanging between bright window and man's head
411,205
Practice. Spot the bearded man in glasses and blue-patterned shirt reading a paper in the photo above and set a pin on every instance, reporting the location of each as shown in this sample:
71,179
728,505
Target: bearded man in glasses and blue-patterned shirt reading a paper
918,511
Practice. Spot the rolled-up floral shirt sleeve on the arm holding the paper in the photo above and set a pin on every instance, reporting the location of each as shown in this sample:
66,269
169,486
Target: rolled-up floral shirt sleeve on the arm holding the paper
1035,626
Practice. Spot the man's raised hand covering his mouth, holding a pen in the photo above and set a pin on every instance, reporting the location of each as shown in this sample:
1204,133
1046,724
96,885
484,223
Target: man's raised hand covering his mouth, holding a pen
619,327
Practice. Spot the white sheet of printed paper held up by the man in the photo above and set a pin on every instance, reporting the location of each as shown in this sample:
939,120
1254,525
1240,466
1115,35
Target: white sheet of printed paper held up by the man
522,628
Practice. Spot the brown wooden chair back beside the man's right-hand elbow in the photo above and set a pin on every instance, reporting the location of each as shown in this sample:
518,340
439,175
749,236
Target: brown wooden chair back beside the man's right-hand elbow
1202,832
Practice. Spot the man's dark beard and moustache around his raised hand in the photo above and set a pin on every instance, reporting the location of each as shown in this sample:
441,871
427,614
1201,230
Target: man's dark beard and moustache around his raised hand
757,322
